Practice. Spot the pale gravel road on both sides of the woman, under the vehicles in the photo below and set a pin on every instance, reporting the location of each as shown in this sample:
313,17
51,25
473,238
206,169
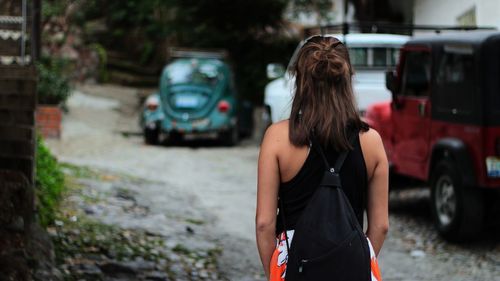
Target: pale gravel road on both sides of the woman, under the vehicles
101,129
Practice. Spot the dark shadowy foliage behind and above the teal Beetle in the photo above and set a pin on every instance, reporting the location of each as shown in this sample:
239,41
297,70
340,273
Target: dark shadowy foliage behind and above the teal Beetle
253,32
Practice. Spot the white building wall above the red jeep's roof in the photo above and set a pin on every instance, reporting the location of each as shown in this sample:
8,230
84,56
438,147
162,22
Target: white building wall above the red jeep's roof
445,12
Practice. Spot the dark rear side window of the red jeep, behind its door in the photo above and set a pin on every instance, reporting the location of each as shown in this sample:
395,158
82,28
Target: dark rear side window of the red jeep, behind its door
455,82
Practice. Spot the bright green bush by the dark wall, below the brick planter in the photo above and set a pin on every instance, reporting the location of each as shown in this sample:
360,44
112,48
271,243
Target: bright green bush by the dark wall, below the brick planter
49,183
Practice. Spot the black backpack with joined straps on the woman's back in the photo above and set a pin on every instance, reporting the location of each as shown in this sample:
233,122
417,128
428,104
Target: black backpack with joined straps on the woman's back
328,242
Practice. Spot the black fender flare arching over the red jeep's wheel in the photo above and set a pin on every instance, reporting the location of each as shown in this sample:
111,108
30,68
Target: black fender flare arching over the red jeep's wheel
455,150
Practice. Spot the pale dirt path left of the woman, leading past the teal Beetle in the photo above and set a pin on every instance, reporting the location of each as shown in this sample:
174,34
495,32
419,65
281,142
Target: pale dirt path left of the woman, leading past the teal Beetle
222,180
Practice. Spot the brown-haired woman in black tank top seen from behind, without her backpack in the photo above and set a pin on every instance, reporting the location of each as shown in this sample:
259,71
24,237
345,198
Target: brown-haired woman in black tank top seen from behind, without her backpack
324,108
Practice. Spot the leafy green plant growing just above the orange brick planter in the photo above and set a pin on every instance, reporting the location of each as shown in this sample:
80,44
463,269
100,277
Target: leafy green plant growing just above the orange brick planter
53,87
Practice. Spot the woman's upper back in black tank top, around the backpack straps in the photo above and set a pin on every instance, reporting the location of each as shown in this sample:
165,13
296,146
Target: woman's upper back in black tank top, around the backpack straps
302,169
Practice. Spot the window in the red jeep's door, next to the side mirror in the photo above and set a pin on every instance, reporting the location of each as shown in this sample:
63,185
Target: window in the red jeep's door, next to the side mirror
416,73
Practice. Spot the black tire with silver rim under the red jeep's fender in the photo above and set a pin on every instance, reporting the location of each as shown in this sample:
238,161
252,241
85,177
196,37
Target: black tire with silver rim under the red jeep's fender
457,210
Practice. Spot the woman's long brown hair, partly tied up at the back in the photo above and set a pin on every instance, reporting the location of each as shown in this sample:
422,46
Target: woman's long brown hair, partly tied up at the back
324,102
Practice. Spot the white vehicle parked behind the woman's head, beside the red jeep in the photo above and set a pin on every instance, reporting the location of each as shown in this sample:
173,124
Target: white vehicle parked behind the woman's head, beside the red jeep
371,55
